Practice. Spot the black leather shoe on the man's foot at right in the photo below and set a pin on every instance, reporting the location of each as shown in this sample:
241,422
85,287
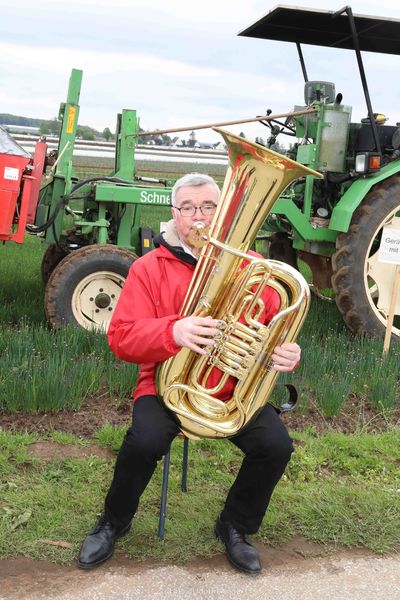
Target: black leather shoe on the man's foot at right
240,551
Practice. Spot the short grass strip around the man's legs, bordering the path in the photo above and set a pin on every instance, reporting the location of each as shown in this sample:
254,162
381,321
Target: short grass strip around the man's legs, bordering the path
339,490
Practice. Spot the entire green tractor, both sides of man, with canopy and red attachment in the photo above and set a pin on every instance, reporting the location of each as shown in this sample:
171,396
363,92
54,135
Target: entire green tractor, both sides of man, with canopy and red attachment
94,227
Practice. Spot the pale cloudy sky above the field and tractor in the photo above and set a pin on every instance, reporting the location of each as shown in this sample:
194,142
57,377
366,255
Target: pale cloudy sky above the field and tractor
178,63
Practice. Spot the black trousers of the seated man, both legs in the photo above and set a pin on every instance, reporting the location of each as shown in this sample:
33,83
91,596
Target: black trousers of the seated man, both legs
265,443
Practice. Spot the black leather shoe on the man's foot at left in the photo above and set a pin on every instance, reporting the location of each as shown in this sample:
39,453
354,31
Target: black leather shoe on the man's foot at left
98,546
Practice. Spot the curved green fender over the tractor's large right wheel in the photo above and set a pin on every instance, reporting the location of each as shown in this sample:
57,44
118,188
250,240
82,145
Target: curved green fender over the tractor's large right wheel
352,198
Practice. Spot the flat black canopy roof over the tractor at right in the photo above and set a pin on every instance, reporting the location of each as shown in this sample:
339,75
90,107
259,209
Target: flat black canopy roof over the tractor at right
326,28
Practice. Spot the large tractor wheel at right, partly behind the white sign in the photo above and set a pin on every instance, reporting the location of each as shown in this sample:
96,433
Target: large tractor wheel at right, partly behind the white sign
363,286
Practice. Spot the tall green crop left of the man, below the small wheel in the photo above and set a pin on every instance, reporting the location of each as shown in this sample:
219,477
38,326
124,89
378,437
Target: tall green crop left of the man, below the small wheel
44,370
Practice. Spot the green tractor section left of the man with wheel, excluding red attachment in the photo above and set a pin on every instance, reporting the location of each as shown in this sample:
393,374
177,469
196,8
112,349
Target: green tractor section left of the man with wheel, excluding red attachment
92,247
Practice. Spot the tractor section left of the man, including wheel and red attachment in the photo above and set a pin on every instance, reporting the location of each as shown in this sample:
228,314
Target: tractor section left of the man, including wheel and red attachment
94,228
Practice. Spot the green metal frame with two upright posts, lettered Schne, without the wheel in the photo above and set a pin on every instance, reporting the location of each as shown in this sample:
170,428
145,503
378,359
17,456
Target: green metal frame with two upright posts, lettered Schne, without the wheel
104,198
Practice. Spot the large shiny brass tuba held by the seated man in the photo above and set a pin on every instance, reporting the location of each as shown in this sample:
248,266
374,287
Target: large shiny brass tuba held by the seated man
230,292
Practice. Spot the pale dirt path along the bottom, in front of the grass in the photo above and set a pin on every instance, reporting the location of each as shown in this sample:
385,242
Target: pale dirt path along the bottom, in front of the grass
287,575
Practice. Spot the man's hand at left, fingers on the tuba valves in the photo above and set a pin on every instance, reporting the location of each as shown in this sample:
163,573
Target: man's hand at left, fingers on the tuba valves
195,333
